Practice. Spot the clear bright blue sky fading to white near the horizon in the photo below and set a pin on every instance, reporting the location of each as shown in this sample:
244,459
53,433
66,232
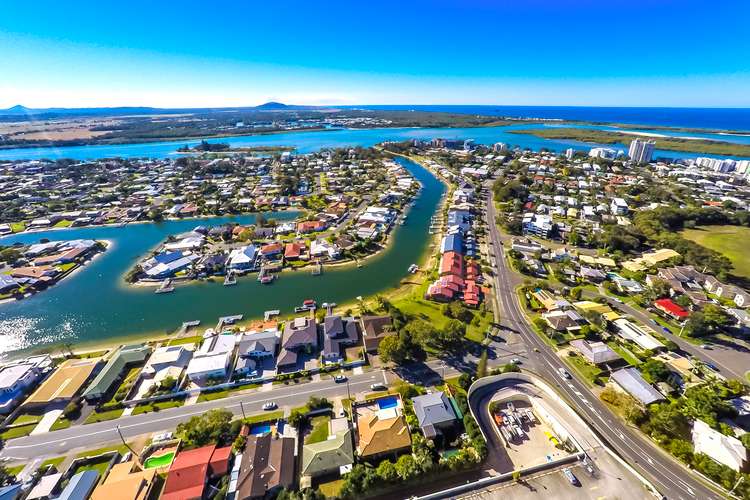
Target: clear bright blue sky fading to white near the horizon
222,53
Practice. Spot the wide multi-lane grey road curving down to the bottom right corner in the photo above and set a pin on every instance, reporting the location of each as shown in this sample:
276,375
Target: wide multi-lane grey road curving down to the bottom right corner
671,478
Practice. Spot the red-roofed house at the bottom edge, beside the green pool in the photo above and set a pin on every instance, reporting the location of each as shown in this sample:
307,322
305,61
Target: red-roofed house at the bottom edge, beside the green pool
191,470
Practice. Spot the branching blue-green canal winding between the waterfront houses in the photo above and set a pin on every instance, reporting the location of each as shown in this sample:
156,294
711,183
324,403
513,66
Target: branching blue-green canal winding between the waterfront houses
95,304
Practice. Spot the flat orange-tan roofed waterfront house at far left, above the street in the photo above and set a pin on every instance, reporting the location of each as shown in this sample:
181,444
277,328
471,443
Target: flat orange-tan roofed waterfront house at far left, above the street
66,381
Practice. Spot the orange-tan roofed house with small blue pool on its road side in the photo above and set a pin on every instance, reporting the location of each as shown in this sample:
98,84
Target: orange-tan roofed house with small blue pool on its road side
381,428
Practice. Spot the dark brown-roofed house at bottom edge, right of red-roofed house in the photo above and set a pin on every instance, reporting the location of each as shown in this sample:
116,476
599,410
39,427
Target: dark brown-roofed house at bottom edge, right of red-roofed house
267,466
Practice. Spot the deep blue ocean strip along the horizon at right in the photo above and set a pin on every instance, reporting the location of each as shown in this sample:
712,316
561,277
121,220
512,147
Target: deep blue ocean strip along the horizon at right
709,118
